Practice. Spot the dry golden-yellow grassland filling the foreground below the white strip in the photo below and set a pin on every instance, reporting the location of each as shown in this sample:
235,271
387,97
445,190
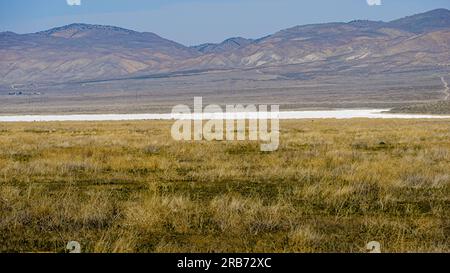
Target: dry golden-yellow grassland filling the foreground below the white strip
127,187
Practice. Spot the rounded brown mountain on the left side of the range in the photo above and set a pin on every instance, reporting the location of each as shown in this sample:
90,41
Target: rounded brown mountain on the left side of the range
81,51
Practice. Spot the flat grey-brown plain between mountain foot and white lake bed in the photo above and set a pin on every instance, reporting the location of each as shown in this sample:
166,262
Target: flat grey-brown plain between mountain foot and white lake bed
301,91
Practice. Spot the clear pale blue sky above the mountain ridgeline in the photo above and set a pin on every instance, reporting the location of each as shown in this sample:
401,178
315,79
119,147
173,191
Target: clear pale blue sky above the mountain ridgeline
198,21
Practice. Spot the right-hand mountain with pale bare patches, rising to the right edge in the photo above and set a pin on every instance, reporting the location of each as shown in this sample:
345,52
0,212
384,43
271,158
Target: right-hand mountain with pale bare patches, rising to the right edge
357,44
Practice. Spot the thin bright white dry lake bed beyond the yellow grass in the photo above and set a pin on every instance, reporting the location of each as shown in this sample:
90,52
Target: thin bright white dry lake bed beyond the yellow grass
324,114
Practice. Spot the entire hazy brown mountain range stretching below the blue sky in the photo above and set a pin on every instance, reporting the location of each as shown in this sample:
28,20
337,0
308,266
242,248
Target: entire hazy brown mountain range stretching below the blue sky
81,52
